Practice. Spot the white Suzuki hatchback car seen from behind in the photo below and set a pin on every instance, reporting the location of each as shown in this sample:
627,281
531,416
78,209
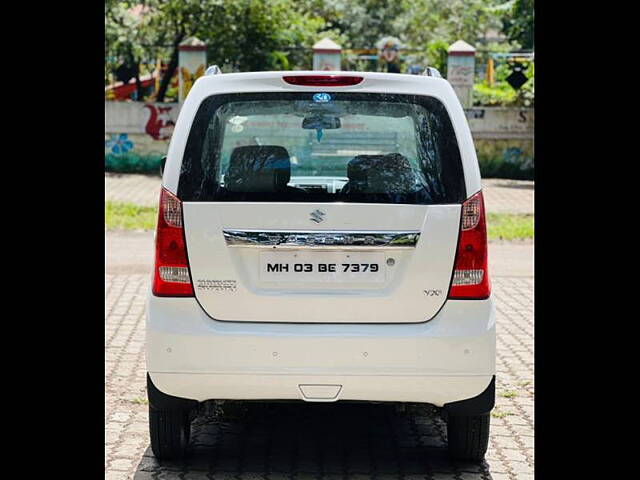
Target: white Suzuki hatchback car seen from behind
321,237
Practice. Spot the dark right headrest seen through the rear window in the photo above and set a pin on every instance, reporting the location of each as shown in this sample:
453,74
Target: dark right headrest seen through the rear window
391,173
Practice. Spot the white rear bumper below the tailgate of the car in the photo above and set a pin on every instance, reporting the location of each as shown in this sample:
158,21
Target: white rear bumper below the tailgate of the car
448,359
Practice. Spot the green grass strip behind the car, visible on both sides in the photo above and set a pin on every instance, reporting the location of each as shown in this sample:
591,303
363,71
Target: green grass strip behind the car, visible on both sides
127,216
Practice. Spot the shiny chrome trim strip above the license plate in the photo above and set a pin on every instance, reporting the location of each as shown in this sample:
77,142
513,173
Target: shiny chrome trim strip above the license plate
321,239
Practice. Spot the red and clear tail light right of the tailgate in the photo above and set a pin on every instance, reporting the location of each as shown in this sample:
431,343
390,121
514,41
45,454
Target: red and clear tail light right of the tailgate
470,274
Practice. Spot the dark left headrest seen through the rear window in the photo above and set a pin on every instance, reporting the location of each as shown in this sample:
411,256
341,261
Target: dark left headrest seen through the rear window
258,168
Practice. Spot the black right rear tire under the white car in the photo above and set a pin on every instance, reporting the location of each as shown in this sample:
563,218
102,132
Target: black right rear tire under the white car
468,436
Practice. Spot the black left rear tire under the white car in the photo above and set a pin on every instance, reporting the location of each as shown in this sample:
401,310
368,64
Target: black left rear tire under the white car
169,431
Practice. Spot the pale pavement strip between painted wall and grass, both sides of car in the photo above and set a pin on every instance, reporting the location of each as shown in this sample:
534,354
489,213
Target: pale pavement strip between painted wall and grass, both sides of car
501,196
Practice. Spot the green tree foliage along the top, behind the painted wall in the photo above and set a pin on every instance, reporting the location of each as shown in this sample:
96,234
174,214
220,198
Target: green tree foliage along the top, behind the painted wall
255,35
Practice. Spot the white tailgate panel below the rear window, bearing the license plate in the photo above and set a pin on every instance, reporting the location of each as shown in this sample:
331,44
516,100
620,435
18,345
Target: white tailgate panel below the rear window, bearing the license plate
362,263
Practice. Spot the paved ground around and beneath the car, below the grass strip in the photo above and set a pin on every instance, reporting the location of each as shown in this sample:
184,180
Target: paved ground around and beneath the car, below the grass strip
310,441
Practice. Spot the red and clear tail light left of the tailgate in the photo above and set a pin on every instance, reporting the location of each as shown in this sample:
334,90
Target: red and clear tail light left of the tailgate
171,277
